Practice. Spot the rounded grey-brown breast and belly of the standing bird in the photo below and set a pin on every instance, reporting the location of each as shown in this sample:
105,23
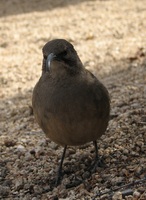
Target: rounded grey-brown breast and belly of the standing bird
68,113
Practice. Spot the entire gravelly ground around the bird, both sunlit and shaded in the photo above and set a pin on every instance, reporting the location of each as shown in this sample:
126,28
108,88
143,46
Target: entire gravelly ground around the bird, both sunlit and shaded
110,38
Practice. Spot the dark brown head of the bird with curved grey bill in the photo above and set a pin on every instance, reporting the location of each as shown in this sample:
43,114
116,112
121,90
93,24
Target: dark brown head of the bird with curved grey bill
60,57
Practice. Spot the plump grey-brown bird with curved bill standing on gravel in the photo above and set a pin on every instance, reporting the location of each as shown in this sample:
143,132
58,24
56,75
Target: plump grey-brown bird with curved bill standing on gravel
70,104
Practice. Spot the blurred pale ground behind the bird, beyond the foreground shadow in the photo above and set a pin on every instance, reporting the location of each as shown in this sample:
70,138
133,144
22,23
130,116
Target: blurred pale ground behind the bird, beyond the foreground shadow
103,32
